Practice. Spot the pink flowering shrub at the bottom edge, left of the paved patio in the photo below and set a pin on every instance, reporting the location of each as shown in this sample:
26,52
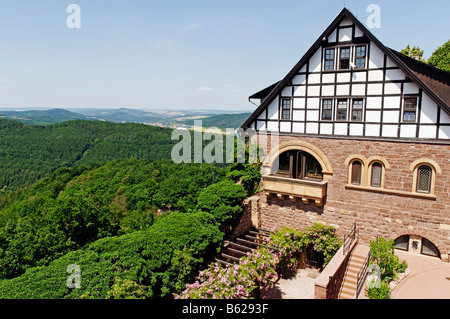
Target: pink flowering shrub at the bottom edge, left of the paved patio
255,271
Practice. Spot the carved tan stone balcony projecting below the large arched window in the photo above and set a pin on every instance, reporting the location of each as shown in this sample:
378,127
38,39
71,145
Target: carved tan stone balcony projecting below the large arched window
291,188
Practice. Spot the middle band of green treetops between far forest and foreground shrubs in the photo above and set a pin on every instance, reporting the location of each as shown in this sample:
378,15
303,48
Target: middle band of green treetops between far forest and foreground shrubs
77,206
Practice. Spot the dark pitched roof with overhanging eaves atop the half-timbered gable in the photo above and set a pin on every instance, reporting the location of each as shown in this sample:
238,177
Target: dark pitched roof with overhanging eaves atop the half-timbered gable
410,68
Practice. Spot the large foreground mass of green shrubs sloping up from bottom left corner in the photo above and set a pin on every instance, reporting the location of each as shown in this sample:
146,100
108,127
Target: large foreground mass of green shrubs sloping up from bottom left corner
149,264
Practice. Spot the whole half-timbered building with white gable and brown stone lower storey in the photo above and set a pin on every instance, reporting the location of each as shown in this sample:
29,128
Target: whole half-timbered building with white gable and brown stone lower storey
363,136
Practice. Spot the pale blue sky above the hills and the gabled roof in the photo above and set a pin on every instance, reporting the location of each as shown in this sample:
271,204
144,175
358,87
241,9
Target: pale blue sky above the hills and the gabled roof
177,54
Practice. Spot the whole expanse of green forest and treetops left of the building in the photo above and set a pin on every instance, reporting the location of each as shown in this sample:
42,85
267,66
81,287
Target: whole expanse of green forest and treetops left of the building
107,197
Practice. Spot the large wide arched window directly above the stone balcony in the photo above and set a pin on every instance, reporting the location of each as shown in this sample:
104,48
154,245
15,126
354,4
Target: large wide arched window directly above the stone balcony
299,165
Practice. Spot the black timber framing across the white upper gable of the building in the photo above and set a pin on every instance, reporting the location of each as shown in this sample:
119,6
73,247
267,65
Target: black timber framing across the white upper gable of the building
312,121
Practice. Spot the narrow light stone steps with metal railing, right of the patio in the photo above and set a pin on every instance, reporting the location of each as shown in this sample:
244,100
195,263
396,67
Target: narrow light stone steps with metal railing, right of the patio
356,262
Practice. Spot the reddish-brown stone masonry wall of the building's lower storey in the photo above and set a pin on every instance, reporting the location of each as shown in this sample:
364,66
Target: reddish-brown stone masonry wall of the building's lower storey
386,215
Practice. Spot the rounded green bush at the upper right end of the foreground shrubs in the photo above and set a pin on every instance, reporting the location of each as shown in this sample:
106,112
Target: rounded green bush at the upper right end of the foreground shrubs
223,200
